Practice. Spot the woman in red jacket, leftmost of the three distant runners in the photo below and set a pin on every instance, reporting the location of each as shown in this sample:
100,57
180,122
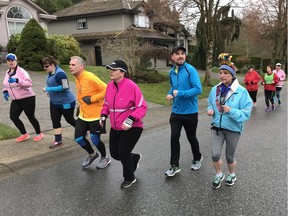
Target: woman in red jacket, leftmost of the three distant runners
251,81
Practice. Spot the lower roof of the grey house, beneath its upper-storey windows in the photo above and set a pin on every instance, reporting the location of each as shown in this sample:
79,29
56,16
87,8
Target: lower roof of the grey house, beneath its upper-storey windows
149,34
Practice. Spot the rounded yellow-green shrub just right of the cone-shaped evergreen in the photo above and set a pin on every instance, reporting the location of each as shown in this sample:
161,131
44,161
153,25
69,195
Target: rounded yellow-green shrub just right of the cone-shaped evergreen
63,47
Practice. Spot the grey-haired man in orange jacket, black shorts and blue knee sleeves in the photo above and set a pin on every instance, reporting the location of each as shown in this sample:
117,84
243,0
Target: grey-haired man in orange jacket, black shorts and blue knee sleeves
90,95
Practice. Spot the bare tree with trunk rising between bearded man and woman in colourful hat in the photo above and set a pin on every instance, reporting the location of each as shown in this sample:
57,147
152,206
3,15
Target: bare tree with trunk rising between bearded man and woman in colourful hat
210,13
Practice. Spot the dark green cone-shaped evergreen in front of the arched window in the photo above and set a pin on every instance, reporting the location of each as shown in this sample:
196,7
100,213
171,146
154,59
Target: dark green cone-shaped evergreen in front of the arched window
32,46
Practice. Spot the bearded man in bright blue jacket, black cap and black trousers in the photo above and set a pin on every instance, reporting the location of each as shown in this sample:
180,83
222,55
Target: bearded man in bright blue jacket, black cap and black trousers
185,88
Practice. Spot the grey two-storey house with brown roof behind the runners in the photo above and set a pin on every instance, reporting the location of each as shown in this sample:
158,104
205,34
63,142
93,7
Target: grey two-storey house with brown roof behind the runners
91,20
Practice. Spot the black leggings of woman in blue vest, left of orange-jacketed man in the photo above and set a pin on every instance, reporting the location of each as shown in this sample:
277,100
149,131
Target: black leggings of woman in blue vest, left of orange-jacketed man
56,114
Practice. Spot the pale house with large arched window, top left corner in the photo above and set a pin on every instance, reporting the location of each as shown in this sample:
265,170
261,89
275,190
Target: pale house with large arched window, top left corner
14,14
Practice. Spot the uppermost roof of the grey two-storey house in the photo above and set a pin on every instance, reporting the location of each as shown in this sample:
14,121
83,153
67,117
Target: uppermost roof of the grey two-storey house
96,7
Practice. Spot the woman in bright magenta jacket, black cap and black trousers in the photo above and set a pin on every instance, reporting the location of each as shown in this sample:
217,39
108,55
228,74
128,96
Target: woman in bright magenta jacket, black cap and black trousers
126,106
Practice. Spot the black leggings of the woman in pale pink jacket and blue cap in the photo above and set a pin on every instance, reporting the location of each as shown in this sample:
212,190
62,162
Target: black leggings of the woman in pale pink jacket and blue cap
28,106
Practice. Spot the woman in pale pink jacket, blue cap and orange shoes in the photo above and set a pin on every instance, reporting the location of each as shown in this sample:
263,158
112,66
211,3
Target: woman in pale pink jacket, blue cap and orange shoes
18,86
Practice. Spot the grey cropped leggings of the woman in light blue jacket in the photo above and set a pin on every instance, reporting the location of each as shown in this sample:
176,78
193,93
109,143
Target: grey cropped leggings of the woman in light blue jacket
218,138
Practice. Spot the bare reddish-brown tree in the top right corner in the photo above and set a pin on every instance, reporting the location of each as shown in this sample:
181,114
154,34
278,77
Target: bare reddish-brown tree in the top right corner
266,21
